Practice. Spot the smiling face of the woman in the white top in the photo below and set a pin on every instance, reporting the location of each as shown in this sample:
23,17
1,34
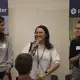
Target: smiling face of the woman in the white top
40,34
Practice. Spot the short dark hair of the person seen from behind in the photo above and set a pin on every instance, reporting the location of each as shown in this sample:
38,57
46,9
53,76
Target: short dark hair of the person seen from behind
23,63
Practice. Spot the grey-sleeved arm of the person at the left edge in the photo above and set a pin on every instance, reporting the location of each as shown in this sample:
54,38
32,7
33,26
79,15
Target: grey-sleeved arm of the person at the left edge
9,62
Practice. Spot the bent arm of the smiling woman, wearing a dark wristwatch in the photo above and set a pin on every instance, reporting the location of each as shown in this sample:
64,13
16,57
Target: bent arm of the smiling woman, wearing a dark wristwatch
55,60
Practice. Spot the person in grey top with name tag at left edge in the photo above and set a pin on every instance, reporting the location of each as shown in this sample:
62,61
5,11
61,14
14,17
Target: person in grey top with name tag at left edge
6,54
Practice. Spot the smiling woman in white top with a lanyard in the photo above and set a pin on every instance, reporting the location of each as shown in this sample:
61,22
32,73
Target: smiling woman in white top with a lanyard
45,57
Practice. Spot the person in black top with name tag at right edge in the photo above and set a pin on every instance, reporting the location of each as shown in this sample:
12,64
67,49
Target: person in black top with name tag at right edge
74,56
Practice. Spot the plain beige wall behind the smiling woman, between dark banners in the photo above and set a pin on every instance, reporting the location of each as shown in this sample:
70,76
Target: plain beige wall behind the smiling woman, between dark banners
26,15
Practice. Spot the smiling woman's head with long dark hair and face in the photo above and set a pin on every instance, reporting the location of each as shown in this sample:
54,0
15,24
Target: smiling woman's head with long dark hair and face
42,34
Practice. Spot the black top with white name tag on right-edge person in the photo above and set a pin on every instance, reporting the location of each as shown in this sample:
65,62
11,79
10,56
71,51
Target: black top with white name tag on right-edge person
75,50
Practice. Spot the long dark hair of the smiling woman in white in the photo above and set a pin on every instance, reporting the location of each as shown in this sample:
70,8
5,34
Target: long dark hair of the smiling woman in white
48,45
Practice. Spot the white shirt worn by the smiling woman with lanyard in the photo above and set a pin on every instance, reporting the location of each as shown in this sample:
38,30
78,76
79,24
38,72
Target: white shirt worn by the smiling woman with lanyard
49,57
